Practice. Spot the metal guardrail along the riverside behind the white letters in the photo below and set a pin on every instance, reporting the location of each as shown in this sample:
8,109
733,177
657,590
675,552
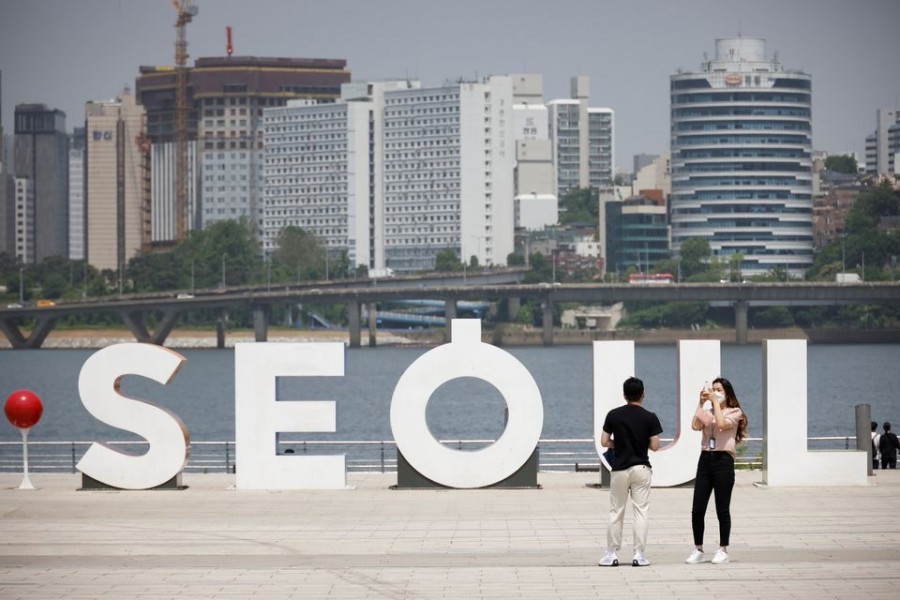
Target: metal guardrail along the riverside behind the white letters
361,455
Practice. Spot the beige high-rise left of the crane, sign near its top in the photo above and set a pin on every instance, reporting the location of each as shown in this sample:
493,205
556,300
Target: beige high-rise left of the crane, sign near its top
116,209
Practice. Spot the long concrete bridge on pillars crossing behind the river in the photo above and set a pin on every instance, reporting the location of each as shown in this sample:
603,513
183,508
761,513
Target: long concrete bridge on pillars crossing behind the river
450,290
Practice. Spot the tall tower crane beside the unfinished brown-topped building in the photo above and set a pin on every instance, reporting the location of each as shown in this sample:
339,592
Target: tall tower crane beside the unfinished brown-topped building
186,12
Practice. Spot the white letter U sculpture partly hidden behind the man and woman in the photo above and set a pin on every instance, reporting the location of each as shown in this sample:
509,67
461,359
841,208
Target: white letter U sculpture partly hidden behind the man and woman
698,361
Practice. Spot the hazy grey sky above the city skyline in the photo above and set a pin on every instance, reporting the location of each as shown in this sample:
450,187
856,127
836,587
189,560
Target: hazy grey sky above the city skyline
65,52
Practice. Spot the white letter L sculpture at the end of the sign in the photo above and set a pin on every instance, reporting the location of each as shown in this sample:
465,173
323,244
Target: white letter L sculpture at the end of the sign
786,459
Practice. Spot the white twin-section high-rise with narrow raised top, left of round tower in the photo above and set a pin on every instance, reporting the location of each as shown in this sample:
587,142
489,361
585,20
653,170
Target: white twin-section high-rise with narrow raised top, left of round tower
583,141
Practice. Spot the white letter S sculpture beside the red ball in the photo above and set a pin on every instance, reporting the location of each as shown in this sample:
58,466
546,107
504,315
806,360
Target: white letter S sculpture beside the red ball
99,387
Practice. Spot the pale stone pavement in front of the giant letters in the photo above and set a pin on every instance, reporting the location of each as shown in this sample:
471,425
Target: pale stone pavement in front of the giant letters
211,541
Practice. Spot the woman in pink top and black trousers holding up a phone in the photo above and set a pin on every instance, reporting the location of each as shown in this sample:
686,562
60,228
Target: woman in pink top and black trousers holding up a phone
723,426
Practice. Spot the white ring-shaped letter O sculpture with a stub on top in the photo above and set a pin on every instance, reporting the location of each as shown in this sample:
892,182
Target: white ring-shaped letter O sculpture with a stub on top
466,356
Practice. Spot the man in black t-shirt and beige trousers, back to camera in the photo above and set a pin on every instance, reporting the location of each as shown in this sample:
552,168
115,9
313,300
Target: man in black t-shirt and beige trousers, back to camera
630,431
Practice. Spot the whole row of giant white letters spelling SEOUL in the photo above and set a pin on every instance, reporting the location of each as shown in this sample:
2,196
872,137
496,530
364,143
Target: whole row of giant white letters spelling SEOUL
259,417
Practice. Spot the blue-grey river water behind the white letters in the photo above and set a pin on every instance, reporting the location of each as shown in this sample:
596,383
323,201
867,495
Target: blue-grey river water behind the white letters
202,394
